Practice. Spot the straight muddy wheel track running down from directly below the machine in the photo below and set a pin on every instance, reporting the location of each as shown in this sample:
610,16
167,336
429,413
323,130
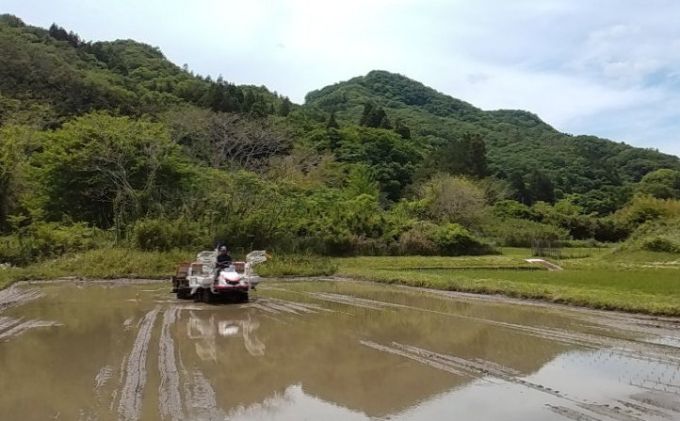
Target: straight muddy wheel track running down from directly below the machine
169,399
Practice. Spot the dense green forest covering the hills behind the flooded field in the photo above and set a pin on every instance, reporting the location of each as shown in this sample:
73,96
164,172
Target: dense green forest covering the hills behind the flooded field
110,143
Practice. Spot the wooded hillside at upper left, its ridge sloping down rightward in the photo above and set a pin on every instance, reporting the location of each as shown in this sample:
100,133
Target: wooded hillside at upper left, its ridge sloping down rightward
53,74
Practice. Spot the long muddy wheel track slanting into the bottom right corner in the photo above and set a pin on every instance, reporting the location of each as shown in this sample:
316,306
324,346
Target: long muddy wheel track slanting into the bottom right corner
652,407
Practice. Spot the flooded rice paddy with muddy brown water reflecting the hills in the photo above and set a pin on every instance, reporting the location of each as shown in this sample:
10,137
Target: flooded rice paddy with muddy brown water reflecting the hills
331,350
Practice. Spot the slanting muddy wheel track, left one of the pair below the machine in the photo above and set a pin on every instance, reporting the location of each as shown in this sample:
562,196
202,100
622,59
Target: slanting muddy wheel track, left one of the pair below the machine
130,404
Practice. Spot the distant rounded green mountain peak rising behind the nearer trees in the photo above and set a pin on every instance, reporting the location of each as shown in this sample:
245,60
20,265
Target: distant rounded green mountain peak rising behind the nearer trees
517,142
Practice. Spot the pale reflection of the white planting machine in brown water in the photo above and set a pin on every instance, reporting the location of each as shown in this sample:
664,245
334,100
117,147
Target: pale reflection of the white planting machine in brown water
205,332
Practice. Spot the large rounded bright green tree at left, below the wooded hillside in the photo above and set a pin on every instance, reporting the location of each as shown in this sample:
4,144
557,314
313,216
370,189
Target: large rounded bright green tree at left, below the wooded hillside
108,171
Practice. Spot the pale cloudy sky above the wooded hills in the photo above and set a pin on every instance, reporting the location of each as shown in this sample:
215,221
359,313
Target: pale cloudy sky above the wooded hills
605,67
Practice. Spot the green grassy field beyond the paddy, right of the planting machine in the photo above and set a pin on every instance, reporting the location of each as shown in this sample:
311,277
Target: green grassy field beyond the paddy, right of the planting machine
644,282
